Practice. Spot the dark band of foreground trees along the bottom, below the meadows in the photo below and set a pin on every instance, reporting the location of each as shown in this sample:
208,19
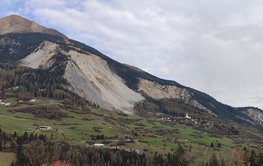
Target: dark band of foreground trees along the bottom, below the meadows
33,149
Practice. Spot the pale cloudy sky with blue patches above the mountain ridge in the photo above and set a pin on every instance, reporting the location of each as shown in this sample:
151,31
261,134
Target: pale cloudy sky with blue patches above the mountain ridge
215,46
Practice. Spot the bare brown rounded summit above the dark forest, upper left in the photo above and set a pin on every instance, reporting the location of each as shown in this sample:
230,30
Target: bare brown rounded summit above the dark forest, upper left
18,24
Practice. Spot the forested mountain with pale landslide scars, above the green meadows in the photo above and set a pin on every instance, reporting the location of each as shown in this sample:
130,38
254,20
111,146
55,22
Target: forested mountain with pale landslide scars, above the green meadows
57,66
